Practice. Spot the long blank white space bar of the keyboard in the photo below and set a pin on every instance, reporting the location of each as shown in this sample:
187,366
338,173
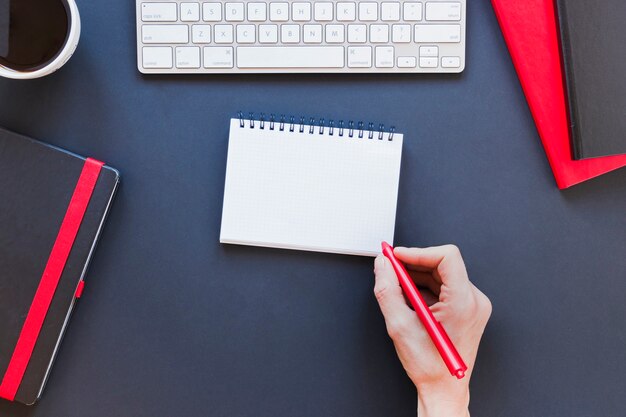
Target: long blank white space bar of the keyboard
290,57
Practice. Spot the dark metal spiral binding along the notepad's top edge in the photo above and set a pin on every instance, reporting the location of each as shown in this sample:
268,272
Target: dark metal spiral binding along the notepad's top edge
320,124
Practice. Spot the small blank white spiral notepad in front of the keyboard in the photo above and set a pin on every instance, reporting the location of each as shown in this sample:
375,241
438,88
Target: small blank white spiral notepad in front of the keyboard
311,185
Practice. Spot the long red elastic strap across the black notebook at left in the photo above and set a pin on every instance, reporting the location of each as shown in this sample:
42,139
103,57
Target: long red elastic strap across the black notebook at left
50,279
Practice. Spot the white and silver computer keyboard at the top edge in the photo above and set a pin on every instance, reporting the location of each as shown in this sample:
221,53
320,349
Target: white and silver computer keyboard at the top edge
223,37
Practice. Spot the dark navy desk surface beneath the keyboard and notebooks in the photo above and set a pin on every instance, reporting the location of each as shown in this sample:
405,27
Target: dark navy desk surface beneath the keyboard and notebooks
174,324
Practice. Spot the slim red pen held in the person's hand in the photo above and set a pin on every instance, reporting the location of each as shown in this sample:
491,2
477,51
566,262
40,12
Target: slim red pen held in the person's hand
435,330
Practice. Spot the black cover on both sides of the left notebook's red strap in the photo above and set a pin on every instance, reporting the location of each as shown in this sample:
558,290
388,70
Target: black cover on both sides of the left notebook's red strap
36,184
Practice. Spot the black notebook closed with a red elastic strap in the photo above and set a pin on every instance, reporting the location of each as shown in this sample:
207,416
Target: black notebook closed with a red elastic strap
52,208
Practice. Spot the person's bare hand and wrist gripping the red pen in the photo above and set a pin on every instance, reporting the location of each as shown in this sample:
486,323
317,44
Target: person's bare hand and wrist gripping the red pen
461,308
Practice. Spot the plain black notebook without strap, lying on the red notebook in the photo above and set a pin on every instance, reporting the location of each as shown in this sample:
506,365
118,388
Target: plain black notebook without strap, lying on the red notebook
594,58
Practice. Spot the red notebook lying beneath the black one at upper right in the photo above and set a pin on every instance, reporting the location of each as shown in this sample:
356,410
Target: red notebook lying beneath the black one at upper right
530,31
